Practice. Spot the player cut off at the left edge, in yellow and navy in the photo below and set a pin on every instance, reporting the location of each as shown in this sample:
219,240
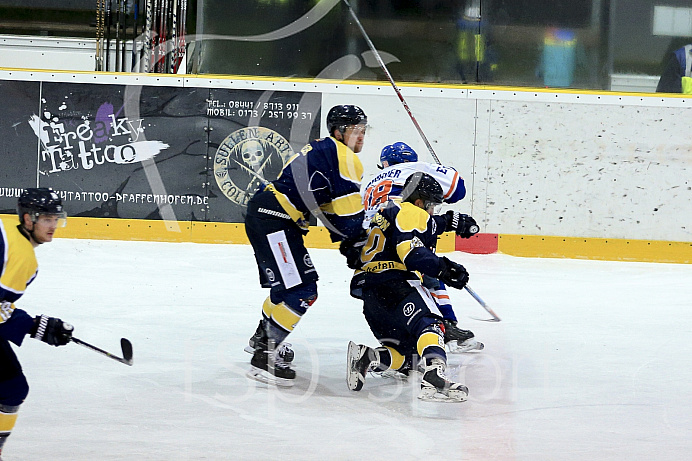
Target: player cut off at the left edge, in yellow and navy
40,214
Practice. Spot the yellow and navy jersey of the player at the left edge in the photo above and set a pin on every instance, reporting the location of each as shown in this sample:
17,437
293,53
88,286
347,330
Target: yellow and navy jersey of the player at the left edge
19,269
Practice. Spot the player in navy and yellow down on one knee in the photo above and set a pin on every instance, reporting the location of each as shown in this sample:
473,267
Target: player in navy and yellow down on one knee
400,311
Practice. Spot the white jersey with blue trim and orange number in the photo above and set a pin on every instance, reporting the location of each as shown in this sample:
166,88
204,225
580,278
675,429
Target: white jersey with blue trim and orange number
388,184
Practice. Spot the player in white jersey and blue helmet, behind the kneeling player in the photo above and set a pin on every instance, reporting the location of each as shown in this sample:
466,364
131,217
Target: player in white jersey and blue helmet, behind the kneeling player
398,161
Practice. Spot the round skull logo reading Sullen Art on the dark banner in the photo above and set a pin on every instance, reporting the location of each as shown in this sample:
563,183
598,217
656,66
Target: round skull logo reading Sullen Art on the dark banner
246,158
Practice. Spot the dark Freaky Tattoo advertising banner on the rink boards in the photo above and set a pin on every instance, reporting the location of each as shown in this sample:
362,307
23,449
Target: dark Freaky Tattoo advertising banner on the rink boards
150,152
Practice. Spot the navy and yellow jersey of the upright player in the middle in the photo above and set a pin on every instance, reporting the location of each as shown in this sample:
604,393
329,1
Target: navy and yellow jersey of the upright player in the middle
323,179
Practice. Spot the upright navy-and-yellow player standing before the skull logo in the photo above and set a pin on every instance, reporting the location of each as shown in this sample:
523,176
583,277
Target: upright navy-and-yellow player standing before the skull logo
323,180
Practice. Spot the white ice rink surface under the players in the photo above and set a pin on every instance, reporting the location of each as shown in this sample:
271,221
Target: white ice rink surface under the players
592,361
